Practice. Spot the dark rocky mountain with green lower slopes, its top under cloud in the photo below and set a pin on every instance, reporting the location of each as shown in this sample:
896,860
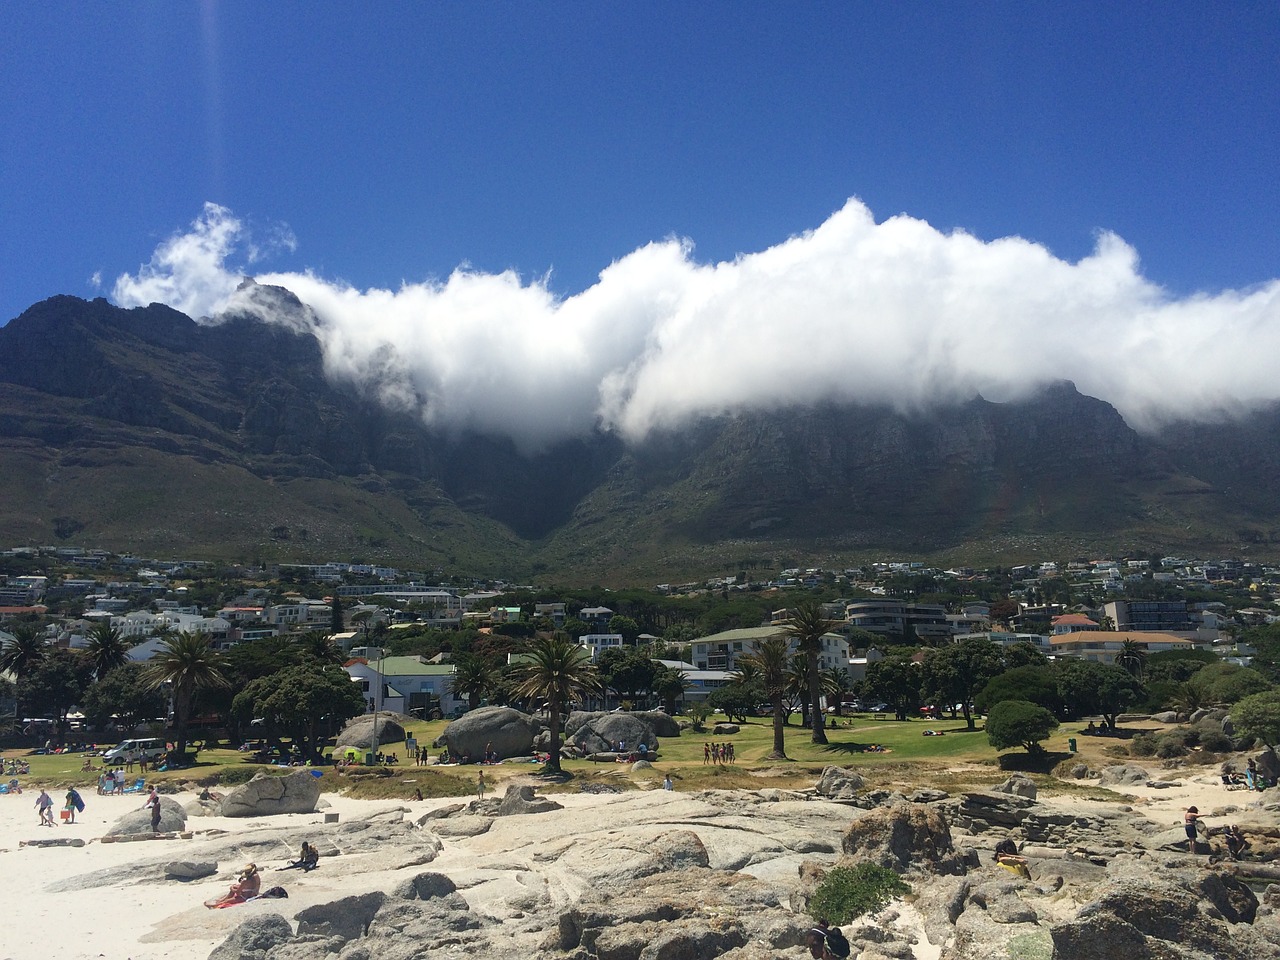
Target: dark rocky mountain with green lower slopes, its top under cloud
145,432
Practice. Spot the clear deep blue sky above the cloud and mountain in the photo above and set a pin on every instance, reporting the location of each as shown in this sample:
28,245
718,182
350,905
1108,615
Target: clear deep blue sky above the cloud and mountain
395,143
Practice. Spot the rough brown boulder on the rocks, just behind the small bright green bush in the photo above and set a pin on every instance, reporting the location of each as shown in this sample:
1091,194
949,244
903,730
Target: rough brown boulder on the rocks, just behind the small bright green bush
904,836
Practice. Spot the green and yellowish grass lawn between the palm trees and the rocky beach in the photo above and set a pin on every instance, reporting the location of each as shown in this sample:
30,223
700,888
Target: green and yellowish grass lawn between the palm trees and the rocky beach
962,760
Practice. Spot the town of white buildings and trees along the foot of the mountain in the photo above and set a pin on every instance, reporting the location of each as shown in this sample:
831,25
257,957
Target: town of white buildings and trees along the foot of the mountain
438,650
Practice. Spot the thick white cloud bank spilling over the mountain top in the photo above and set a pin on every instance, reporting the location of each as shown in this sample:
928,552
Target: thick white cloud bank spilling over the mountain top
893,313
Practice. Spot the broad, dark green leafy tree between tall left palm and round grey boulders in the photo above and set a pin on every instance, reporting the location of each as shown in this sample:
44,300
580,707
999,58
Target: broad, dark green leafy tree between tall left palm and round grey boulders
309,701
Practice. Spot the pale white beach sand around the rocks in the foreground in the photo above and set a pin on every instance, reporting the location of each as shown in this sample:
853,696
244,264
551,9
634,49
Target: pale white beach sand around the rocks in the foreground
154,921
